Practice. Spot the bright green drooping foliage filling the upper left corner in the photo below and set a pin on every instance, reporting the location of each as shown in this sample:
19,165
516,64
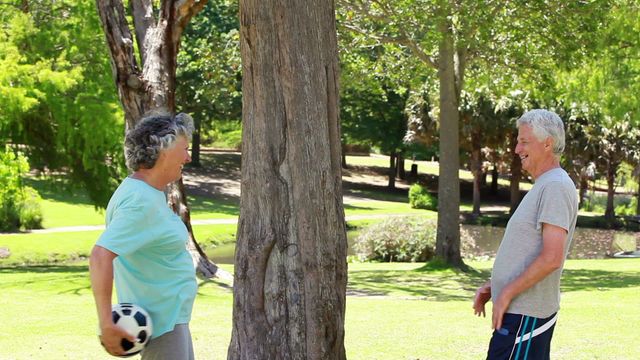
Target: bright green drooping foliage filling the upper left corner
57,95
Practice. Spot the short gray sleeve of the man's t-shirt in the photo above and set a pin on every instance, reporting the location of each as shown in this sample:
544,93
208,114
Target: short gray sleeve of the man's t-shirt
556,206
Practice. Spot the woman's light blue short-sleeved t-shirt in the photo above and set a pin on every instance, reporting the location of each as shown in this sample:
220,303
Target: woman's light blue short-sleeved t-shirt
153,269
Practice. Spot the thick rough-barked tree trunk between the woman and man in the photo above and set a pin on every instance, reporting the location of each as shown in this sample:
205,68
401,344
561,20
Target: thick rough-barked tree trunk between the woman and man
291,271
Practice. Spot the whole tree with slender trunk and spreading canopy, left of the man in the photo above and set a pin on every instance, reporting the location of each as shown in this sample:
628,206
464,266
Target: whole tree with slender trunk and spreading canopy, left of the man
454,38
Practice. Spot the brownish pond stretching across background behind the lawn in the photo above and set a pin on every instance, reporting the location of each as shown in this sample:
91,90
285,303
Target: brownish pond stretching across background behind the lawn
483,241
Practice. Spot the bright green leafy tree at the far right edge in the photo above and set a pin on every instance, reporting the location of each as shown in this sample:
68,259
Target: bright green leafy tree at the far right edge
612,70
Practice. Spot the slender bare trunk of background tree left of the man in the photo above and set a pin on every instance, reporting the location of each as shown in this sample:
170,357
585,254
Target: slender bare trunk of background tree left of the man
448,233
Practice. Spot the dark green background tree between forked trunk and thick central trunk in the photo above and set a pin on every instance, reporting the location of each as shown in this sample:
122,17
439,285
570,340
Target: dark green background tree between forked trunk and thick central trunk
208,74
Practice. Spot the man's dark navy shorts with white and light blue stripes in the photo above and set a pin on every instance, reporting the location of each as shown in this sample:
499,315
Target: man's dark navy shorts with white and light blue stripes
522,338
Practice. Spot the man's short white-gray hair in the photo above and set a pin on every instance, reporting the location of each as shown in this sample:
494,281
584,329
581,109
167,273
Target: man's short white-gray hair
544,124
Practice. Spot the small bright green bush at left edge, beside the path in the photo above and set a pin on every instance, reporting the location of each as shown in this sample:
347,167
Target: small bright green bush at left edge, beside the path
20,205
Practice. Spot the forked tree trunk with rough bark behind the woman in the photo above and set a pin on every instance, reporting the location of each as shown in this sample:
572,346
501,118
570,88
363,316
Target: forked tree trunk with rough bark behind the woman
151,87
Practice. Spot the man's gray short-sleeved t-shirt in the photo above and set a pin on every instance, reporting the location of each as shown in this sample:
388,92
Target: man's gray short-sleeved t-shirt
552,200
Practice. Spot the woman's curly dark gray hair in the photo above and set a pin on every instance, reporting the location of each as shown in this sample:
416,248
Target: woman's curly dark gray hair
153,134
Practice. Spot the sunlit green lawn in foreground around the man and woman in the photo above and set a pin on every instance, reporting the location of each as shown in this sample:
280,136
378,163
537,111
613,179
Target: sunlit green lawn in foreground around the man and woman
423,314
